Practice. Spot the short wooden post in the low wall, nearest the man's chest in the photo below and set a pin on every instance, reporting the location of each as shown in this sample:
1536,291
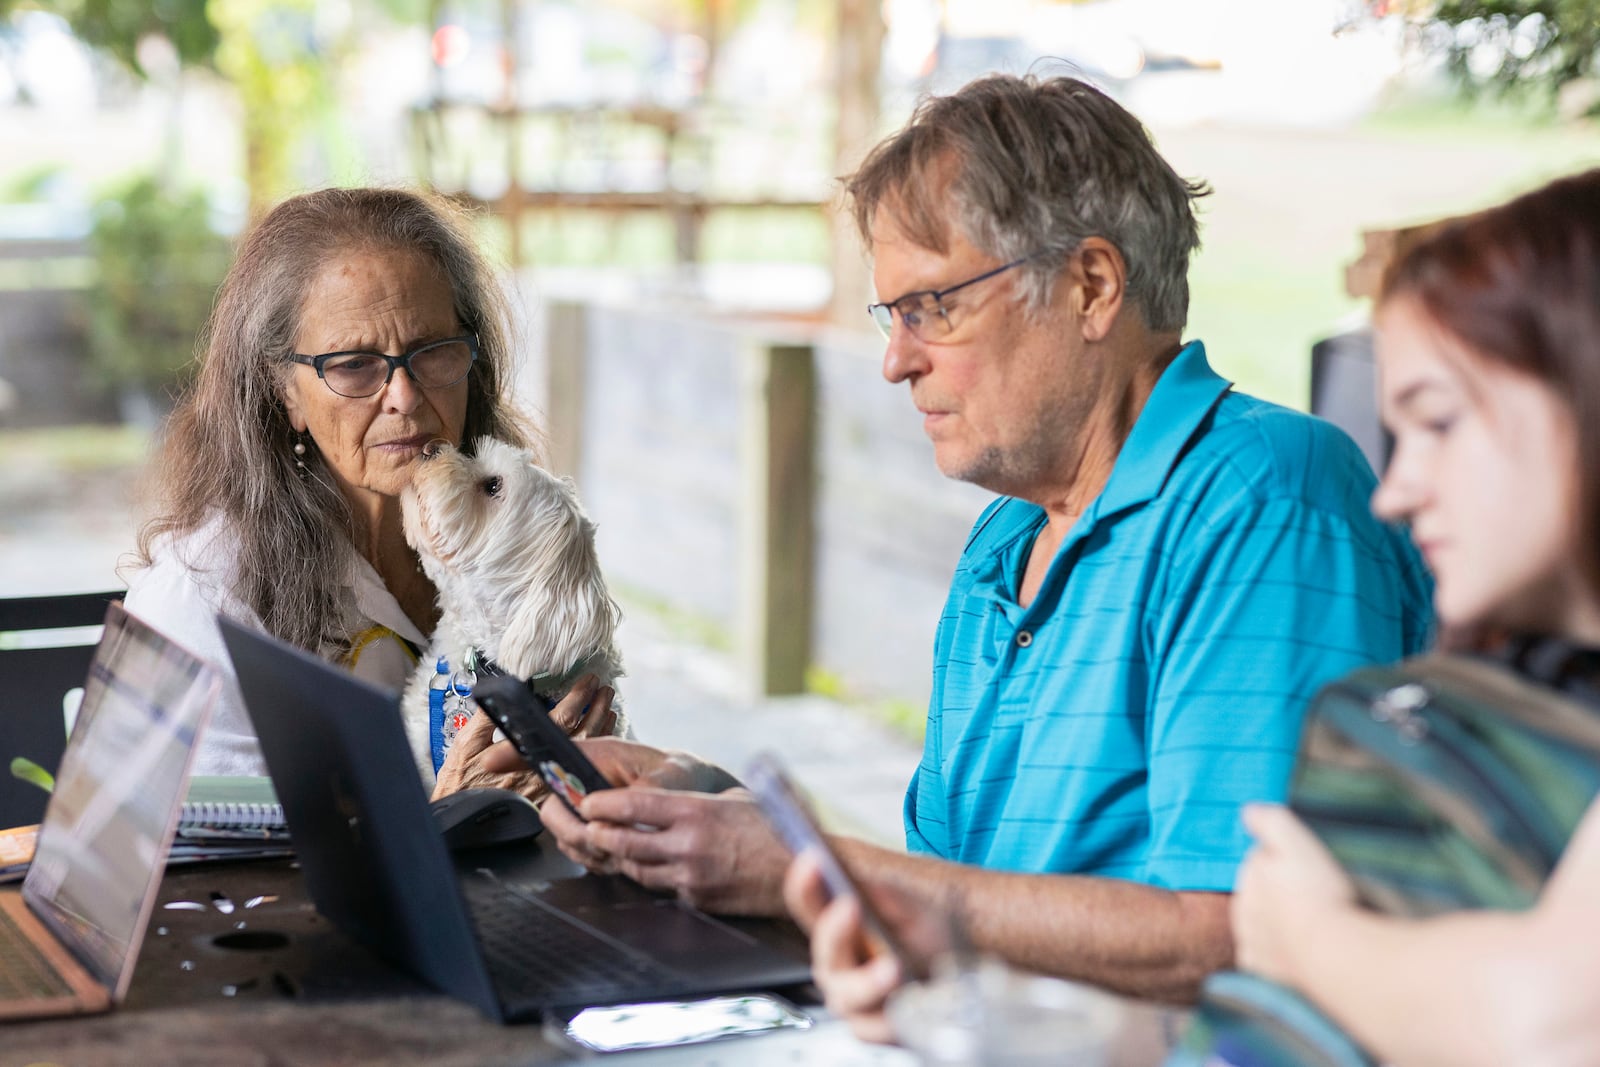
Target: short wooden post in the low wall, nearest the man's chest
777,454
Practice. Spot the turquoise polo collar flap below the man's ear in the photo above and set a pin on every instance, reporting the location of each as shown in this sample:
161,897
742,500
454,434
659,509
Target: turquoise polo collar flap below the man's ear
1182,401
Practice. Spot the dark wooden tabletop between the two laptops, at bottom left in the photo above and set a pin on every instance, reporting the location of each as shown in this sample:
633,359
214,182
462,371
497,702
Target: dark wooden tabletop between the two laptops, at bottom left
239,969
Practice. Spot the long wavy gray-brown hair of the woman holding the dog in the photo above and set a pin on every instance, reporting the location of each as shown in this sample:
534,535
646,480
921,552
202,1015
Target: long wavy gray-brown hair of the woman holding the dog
228,446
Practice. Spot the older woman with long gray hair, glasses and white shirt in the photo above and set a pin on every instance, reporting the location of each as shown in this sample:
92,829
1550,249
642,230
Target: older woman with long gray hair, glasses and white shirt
356,327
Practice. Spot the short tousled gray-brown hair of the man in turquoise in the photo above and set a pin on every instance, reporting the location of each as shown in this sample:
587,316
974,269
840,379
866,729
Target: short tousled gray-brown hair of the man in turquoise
1025,166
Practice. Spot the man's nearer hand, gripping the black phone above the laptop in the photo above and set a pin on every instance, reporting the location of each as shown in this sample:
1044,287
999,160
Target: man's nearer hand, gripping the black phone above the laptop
713,850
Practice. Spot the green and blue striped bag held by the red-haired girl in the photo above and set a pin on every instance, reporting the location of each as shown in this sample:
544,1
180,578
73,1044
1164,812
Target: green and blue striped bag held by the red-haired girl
1442,783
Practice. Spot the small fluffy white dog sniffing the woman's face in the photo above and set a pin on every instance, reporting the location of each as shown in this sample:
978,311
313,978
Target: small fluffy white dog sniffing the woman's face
513,557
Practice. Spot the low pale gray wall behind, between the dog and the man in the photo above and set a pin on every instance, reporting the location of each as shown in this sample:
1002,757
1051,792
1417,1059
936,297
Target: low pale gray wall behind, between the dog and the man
665,458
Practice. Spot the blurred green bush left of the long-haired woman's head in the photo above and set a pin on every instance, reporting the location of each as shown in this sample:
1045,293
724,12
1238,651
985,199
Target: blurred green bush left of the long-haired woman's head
158,268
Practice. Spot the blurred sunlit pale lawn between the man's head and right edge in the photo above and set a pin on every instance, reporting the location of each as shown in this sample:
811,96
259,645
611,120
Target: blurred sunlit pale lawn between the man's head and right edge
1289,209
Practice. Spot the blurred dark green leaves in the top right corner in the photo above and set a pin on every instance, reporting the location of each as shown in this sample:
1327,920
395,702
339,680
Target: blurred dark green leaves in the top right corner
1537,44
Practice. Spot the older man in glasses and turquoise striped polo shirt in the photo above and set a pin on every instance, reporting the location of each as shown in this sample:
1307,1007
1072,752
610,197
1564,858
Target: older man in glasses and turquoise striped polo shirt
1137,625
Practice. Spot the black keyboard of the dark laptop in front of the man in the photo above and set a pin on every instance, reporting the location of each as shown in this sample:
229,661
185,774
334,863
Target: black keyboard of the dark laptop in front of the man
540,957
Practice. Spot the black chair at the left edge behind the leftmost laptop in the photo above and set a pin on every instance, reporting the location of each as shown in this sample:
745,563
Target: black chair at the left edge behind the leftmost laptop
38,674
